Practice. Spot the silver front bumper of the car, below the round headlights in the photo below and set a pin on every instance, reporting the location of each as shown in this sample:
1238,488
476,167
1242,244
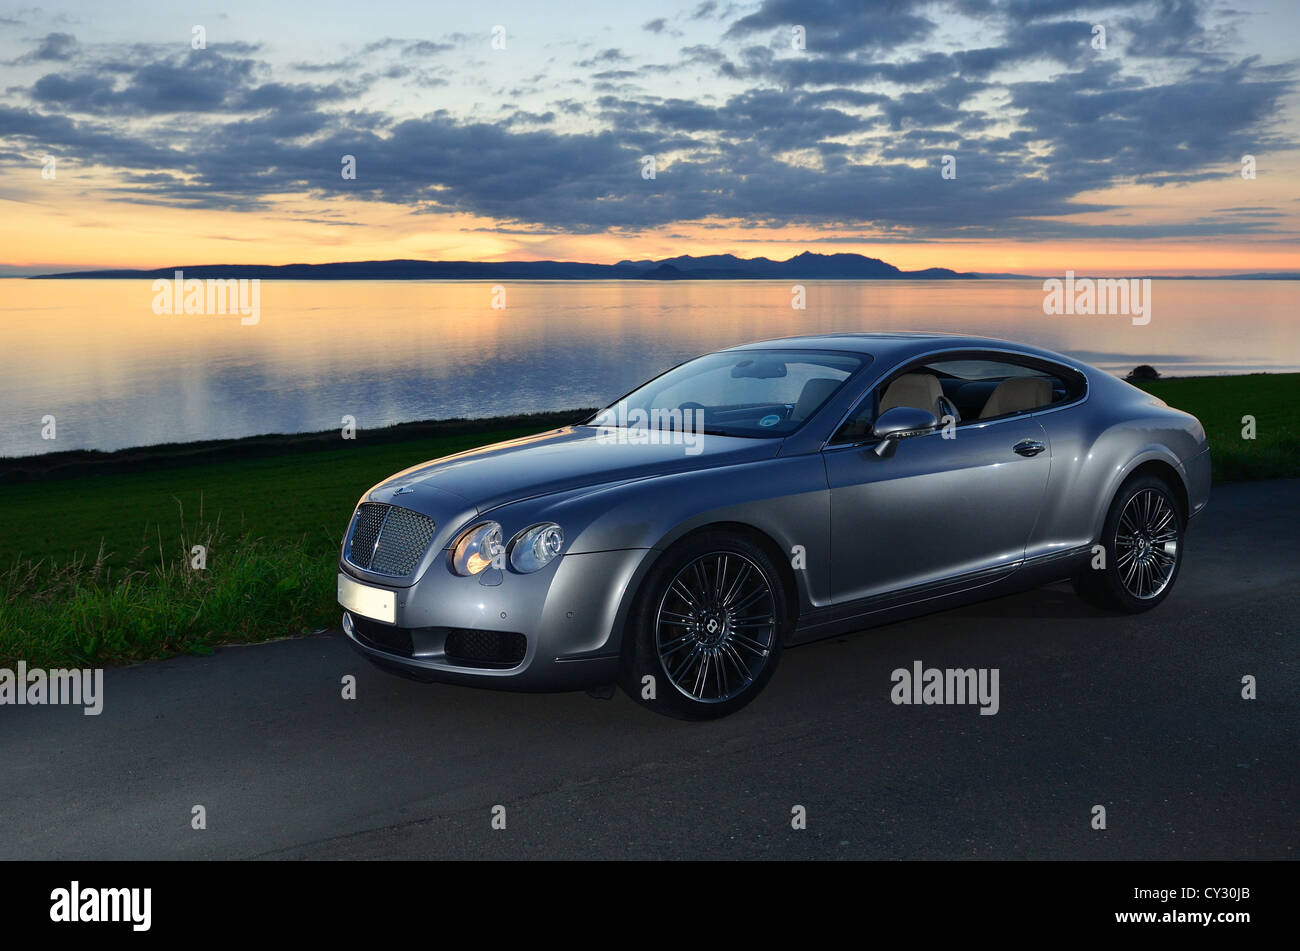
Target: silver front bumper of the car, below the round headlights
569,616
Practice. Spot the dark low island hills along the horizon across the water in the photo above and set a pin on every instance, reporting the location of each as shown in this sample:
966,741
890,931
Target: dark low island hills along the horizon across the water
805,267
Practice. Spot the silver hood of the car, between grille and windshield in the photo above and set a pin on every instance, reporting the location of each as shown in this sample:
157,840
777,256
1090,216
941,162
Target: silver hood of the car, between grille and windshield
562,461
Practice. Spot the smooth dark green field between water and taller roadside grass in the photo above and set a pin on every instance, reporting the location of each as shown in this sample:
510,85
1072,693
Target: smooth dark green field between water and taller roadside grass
298,494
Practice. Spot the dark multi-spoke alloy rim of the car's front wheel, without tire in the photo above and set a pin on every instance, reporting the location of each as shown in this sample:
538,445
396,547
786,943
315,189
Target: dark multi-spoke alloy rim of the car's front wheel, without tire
716,627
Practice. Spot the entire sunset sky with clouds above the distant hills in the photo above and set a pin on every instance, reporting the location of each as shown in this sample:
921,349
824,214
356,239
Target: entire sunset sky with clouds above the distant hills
1117,160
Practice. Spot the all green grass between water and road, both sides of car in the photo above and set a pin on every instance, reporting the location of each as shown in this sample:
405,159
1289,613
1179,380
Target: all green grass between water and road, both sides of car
94,548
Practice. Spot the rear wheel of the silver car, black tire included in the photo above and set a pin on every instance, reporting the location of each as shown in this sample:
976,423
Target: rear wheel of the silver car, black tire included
1143,522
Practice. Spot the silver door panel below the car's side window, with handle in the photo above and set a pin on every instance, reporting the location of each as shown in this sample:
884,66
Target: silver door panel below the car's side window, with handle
938,507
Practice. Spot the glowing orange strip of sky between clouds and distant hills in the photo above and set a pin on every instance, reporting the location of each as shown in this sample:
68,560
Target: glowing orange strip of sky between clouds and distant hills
68,225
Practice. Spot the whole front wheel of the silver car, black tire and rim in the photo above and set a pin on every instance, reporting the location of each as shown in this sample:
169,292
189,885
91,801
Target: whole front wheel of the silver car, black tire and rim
708,627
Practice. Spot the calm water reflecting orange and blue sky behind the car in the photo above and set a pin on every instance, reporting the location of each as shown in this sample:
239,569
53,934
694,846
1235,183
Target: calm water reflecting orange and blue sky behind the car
94,355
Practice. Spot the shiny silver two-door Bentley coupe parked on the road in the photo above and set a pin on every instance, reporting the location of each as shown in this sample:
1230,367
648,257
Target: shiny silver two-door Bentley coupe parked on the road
769,496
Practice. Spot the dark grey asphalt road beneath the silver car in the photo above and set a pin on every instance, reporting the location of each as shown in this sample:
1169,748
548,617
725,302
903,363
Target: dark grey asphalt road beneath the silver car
1141,715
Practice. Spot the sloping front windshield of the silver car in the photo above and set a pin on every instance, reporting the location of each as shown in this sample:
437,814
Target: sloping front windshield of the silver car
746,393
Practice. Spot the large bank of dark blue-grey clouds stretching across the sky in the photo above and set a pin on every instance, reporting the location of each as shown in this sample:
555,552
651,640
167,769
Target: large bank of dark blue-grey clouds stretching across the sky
848,134
